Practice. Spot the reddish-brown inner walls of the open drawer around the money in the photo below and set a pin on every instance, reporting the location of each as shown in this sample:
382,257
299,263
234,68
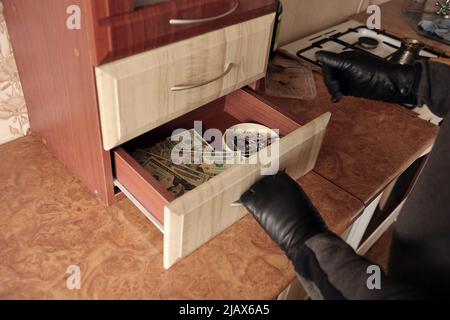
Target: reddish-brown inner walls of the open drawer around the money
221,114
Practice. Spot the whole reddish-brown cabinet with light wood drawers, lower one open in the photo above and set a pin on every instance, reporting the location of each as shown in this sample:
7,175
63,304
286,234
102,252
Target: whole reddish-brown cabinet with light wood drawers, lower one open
129,77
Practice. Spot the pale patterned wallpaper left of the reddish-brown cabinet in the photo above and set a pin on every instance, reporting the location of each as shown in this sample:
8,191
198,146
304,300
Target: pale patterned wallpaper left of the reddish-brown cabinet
13,112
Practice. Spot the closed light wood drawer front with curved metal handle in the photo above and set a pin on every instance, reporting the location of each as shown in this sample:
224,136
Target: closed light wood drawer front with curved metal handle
142,92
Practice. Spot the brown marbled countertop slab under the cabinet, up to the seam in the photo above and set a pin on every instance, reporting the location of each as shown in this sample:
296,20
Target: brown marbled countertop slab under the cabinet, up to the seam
50,221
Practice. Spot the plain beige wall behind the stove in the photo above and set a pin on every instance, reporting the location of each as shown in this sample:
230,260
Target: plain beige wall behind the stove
304,17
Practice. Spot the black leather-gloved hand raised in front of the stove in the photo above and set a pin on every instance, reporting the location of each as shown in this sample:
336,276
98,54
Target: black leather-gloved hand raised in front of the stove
360,74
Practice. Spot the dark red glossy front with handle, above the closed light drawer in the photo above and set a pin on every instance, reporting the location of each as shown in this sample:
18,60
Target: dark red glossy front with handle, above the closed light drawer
125,27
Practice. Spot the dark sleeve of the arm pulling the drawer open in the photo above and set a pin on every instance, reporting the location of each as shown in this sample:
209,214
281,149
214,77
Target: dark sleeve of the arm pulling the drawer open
330,269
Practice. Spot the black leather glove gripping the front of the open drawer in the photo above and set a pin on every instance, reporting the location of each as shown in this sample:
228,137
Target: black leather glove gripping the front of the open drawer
283,209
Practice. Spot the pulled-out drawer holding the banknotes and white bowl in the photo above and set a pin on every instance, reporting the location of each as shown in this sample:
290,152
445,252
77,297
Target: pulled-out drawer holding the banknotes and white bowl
195,217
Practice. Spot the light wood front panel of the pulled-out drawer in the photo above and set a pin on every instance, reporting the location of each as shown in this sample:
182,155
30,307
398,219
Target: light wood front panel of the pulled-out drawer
201,214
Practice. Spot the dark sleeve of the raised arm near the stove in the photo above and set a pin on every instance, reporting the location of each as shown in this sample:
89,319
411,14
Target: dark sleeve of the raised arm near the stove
434,87
